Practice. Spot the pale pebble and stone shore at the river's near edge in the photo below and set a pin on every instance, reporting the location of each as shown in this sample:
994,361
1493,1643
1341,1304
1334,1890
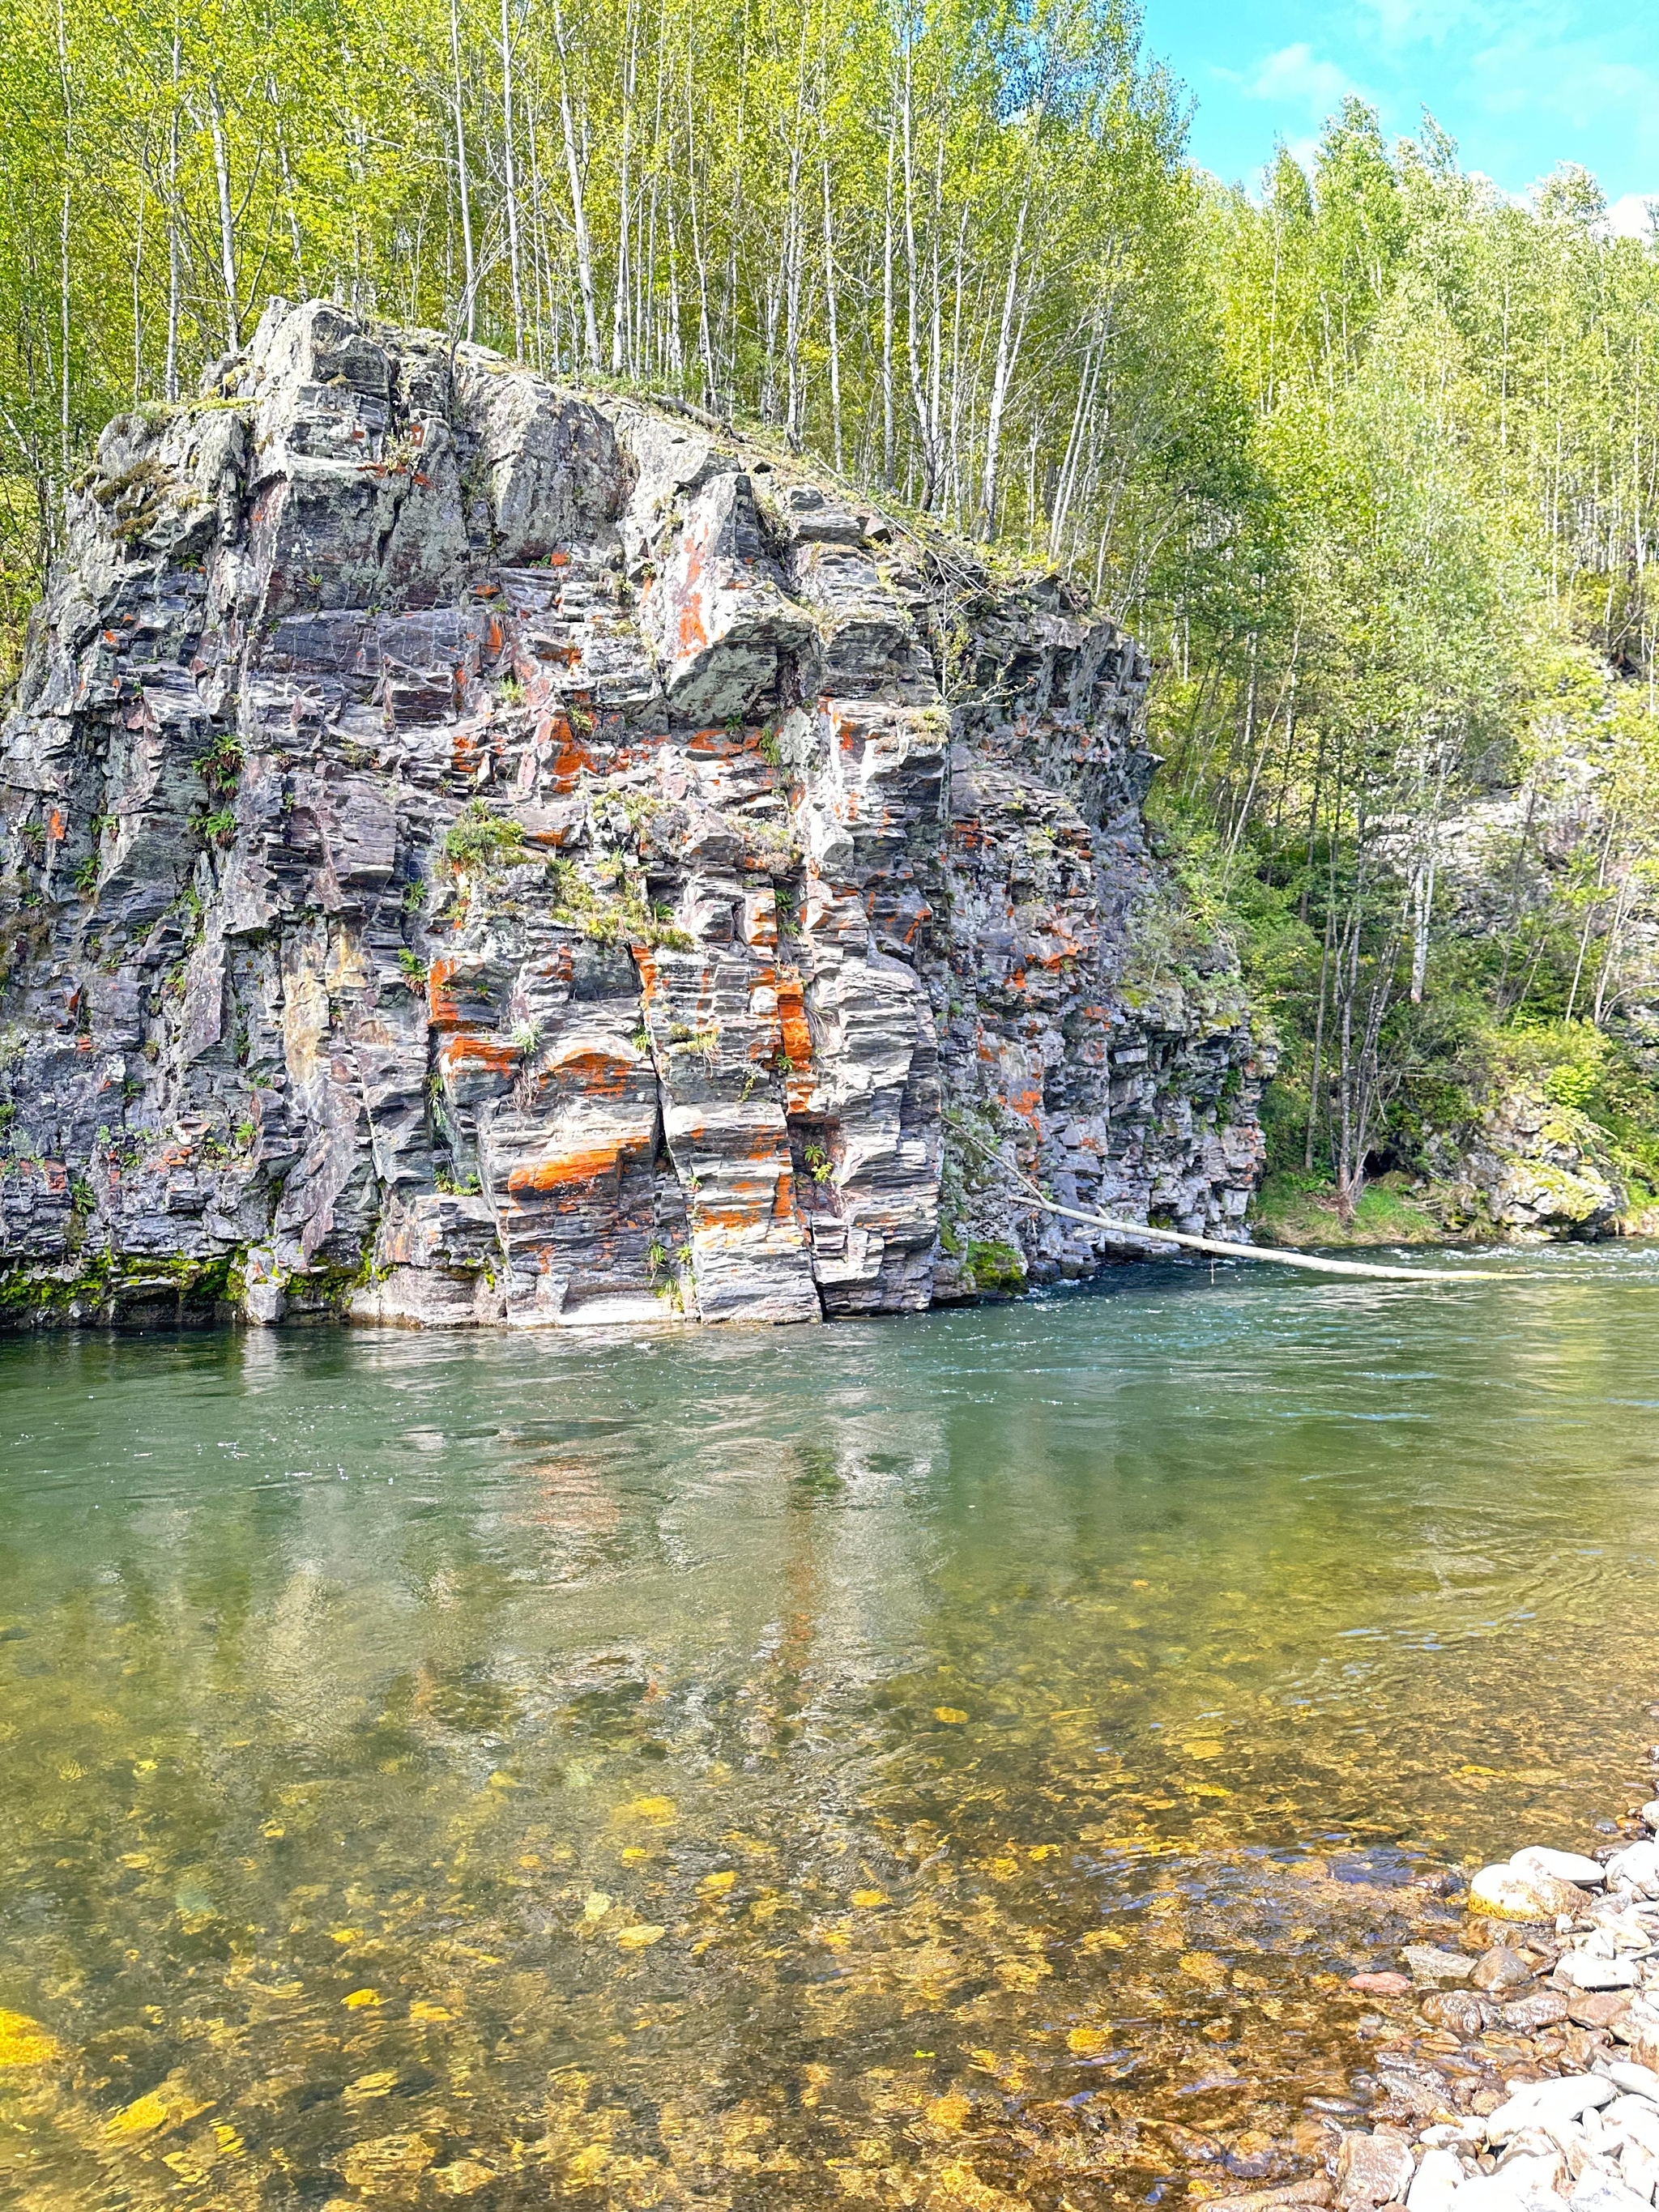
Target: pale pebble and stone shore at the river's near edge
1514,2067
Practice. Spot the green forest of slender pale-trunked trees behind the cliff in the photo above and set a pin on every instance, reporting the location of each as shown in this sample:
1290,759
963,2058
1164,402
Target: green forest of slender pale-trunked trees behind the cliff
1364,452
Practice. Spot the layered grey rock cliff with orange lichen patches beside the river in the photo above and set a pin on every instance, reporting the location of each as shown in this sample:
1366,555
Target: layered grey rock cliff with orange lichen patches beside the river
488,855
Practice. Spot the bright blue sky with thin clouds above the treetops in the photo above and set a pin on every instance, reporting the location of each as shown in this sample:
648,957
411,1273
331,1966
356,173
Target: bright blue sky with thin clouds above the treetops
1519,83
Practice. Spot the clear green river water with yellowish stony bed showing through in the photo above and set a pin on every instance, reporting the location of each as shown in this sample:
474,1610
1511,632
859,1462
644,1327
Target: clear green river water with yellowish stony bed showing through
943,1762
